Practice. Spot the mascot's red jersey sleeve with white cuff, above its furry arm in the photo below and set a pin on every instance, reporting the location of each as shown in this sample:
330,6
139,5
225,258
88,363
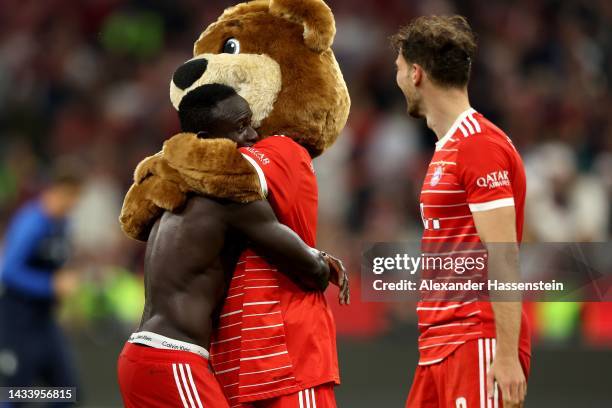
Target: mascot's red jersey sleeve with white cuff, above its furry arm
276,160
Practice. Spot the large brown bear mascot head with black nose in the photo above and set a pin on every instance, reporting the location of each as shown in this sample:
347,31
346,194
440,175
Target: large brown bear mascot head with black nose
277,55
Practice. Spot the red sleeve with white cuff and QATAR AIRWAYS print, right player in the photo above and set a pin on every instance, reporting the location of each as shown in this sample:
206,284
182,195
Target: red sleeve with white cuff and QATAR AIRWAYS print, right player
484,168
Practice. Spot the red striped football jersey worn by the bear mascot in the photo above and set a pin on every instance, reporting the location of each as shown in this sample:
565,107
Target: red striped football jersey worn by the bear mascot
273,338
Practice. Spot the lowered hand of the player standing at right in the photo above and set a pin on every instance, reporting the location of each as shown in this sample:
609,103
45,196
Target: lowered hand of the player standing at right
508,374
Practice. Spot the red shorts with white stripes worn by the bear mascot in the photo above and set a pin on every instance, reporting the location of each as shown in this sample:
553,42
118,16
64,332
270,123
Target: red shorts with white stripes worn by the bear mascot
321,396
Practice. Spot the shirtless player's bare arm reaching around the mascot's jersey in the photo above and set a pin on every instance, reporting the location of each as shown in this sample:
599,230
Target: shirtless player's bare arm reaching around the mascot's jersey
280,245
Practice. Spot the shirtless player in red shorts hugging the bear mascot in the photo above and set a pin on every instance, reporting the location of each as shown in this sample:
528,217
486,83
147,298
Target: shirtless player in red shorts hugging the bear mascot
189,261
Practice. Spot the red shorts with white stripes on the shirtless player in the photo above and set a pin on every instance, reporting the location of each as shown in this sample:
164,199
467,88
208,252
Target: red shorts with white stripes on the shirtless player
158,378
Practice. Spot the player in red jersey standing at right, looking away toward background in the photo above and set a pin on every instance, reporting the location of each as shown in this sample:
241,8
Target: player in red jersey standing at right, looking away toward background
472,354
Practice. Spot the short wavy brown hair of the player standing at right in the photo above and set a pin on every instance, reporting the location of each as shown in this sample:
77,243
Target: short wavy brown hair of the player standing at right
443,45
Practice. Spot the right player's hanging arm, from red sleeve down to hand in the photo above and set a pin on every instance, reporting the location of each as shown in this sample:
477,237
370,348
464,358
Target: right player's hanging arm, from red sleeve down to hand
493,211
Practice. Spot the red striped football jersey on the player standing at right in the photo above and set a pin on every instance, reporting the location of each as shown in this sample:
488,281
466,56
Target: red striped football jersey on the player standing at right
474,168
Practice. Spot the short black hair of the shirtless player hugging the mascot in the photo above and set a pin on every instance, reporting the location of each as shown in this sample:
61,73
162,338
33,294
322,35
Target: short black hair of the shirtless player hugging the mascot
196,108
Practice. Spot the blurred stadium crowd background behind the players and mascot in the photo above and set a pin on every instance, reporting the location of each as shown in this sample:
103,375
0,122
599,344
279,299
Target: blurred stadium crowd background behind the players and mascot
89,80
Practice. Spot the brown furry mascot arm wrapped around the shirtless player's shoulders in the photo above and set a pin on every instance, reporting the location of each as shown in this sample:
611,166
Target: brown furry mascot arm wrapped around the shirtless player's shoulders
187,164
